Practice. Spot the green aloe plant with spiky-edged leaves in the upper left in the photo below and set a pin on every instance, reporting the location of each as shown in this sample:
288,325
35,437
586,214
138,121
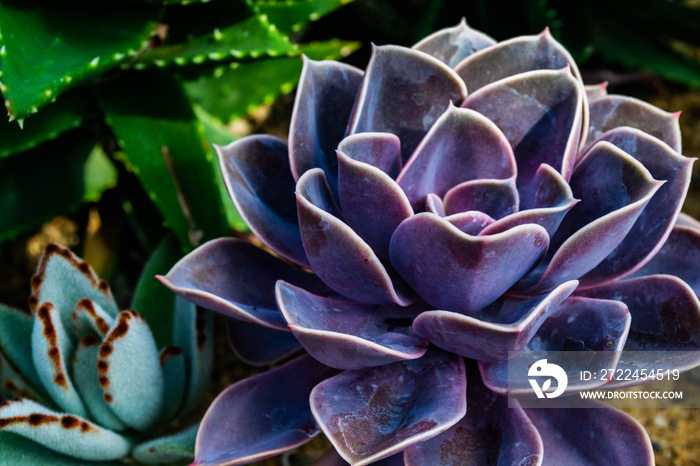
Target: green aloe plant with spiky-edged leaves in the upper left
136,84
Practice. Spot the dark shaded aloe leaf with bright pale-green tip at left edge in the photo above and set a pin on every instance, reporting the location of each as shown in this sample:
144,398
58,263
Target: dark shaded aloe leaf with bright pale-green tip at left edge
49,180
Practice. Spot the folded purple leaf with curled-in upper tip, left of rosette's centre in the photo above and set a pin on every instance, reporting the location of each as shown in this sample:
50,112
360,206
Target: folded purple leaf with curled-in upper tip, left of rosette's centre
337,254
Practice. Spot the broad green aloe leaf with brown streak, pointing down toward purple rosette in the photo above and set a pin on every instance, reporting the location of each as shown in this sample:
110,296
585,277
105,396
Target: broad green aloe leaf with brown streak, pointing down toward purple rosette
164,145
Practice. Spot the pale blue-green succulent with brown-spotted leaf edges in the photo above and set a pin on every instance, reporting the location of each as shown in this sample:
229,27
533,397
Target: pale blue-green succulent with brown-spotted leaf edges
85,383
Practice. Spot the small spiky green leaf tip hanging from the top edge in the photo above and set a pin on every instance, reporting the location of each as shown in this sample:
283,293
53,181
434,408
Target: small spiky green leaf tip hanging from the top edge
292,15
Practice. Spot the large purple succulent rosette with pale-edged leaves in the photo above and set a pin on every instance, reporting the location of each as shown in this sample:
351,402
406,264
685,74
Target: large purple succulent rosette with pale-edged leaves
455,201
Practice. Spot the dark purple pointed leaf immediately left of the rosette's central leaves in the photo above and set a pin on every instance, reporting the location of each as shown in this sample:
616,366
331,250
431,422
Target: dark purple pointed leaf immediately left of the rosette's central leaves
373,204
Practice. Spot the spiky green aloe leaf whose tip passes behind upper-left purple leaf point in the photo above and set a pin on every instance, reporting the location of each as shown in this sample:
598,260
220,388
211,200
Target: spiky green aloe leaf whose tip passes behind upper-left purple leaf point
238,89
